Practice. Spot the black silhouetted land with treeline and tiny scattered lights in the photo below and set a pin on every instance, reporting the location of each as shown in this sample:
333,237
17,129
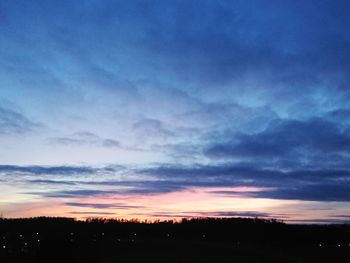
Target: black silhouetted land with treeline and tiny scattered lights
197,240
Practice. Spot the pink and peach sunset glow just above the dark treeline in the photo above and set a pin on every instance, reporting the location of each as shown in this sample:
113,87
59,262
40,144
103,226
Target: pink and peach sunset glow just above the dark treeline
193,202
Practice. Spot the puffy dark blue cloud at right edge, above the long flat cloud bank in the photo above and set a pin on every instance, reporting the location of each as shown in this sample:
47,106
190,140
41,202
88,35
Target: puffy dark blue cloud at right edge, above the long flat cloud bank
296,140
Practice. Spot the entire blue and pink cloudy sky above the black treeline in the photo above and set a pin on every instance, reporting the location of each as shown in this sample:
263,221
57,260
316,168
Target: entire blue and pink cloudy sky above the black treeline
169,109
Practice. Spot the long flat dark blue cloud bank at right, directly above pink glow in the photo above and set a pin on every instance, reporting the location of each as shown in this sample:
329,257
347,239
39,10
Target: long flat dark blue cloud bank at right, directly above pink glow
310,185
